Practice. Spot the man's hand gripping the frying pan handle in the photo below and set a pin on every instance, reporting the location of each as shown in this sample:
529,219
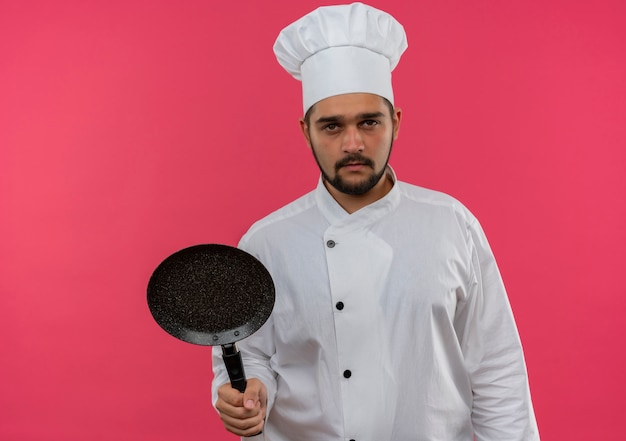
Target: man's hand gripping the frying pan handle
243,413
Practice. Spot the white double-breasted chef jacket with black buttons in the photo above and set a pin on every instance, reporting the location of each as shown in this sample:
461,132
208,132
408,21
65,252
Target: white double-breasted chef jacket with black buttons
390,323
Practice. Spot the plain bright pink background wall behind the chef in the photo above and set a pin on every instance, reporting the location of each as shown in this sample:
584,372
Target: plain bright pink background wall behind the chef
131,129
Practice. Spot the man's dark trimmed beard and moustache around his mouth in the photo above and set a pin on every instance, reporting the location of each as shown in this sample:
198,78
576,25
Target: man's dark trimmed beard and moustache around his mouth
358,188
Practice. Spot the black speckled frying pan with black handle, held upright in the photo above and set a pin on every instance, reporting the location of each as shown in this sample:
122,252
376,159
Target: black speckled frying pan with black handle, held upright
211,295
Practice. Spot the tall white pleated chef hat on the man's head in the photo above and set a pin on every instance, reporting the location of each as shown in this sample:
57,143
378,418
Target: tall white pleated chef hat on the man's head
342,49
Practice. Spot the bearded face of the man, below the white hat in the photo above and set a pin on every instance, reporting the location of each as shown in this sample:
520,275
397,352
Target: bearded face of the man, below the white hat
351,137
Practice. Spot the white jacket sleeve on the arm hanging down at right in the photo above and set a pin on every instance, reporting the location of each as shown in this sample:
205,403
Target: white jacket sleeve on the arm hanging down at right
502,407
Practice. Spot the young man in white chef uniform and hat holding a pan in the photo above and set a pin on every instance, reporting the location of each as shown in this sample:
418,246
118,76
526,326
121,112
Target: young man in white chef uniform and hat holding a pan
391,320
